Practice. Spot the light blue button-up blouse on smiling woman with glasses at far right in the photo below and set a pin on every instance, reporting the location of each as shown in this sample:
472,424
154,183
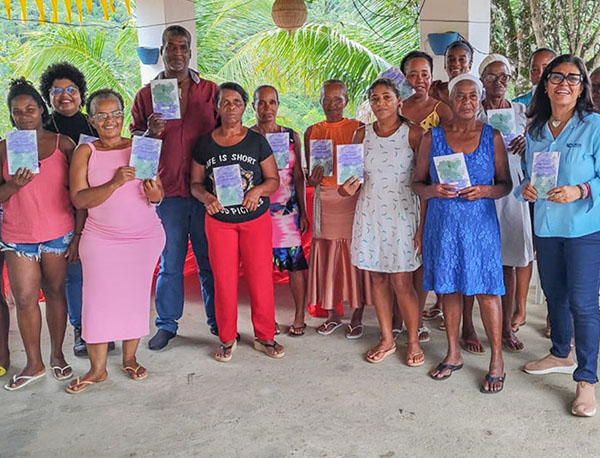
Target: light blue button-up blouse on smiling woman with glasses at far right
579,146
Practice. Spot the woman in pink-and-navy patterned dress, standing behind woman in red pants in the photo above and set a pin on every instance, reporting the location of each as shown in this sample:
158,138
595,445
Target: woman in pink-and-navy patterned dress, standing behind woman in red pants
287,204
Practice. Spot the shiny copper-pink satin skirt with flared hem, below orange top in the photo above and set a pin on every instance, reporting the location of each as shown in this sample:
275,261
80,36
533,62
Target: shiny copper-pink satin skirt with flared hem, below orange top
332,279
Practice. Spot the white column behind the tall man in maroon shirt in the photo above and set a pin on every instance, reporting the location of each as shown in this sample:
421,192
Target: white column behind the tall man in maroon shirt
153,16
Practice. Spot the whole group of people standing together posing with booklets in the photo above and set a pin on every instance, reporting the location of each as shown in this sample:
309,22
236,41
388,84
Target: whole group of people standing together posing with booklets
386,240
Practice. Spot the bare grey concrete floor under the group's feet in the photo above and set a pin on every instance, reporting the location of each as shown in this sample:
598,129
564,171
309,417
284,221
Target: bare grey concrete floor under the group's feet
322,400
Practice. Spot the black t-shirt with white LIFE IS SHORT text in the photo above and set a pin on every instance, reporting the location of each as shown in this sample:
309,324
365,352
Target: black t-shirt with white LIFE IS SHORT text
248,153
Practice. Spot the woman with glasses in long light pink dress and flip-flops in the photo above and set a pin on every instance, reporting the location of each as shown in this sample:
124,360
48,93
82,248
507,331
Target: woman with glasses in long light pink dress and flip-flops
121,241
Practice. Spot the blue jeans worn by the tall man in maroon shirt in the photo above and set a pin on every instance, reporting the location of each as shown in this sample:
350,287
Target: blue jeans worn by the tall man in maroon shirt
183,219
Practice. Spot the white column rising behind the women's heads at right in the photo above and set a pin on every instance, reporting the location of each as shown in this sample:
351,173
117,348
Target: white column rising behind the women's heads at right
470,18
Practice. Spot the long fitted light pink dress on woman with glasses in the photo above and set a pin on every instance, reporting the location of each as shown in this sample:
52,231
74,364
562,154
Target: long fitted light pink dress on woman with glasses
121,242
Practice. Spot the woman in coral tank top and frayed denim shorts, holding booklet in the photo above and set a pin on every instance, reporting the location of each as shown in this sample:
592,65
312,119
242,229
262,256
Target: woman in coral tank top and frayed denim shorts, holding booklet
37,228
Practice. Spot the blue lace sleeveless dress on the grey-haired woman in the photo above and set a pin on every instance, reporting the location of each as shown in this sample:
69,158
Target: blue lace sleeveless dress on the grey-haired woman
461,238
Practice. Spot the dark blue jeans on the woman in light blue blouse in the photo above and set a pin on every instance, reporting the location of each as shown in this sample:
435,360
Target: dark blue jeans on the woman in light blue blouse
570,274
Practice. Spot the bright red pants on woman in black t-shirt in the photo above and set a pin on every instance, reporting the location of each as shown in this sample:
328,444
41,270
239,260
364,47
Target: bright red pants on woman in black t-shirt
250,242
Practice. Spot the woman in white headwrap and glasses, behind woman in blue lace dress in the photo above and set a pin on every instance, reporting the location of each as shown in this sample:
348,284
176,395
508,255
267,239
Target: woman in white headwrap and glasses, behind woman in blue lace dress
515,221
